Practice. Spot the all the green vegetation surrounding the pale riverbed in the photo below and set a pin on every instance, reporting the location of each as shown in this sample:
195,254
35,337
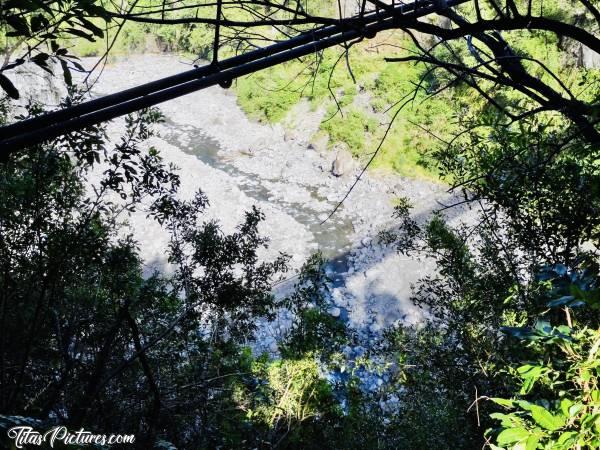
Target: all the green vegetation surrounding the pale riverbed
508,357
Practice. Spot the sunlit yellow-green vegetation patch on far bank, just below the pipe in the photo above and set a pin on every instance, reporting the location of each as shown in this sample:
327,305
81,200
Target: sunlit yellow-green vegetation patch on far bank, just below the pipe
387,88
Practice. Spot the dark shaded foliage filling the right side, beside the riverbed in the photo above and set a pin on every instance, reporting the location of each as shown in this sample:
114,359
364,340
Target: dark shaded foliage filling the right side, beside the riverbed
536,189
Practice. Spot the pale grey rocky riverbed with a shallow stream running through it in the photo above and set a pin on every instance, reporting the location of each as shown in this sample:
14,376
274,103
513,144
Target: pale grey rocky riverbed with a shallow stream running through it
238,162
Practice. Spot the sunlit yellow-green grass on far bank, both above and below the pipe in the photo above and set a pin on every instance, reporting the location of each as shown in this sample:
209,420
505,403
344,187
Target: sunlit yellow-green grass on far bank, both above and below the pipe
270,95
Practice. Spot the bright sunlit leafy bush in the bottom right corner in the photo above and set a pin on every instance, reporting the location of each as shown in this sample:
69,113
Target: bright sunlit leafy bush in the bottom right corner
558,403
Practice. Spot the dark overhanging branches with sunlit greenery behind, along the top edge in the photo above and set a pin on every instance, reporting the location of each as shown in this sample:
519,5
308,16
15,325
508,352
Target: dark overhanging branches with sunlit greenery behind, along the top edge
471,43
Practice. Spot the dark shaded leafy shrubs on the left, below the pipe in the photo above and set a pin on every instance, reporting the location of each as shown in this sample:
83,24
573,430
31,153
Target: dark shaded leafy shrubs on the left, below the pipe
85,339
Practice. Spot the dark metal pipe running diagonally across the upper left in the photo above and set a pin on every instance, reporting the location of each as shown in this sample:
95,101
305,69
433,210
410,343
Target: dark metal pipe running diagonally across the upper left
54,123
